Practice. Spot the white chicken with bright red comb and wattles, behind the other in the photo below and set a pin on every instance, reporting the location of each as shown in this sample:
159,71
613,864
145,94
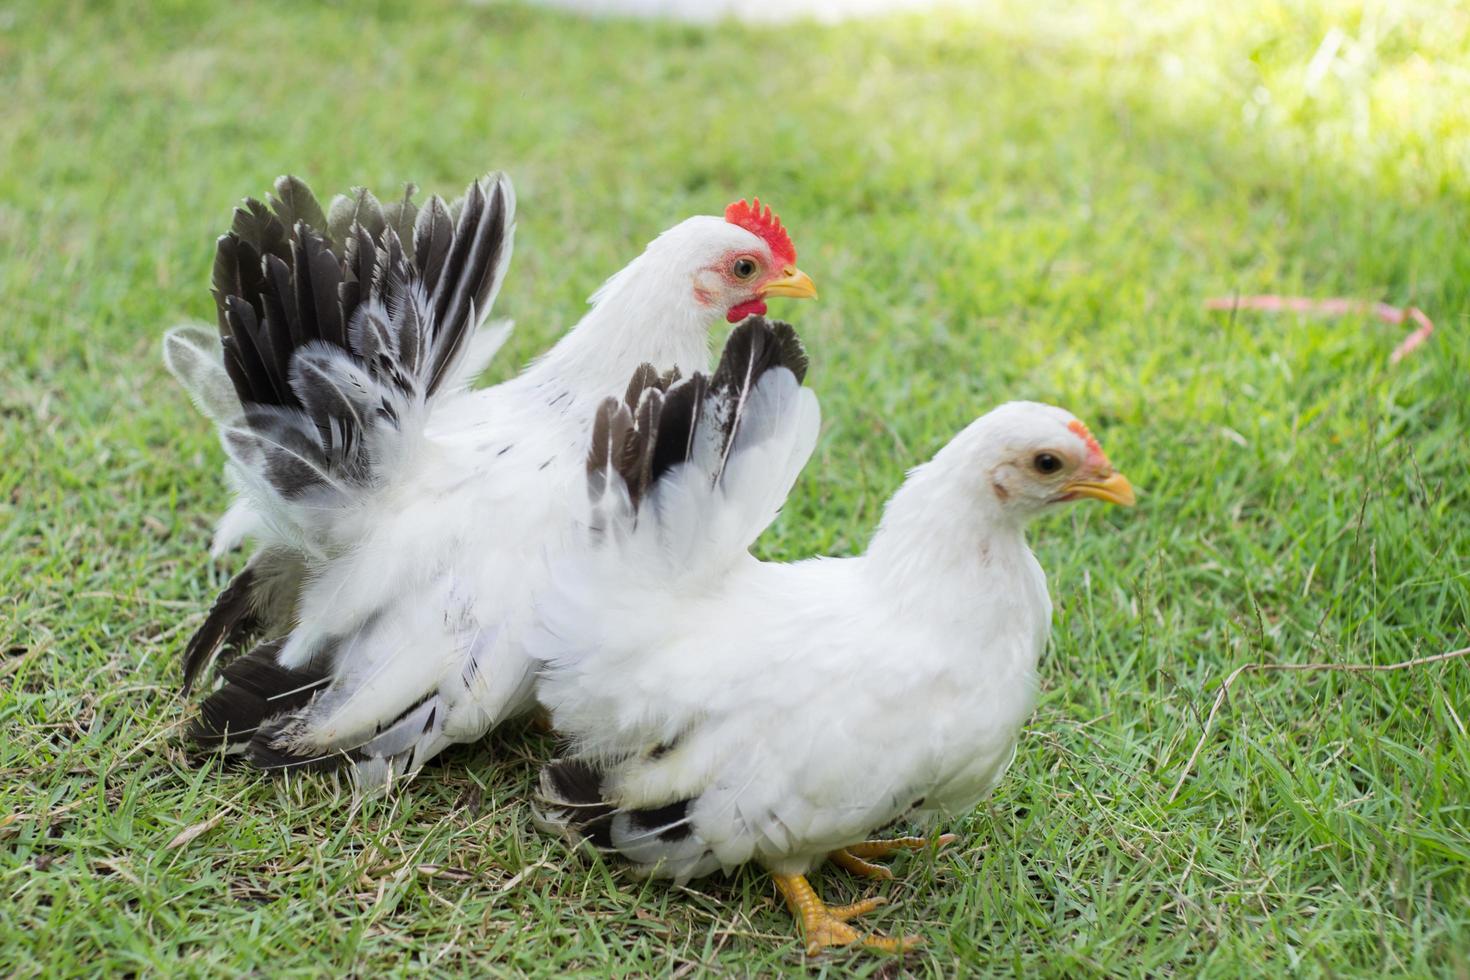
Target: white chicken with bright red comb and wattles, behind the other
404,525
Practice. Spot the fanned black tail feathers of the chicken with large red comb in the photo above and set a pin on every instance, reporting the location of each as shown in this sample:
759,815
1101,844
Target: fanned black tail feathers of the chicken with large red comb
293,283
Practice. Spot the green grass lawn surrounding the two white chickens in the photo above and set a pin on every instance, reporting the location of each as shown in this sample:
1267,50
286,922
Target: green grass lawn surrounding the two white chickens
1025,203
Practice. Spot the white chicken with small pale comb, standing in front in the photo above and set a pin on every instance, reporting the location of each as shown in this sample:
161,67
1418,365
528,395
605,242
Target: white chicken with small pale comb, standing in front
727,710
